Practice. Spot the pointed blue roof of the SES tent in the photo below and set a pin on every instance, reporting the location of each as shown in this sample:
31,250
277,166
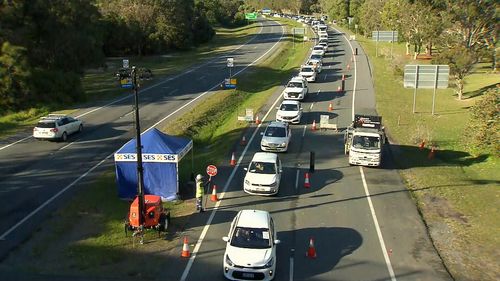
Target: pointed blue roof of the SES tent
154,141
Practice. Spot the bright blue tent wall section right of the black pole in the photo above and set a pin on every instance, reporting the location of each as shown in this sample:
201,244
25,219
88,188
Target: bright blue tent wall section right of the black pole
161,179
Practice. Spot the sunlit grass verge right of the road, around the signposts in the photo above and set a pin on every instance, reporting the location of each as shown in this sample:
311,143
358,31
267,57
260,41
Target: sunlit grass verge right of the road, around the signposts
456,192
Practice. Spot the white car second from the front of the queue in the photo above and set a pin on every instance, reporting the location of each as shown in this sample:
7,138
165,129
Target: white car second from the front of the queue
263,174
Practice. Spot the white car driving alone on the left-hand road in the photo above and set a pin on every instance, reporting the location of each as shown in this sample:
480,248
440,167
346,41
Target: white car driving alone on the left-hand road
57,127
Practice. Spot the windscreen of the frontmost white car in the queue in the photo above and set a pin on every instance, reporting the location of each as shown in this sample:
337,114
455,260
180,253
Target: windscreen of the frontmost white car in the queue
254,238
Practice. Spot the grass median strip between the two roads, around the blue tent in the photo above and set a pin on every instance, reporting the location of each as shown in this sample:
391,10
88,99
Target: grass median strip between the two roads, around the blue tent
97,215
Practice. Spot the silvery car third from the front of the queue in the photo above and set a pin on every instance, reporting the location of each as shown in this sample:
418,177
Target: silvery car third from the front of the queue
276,137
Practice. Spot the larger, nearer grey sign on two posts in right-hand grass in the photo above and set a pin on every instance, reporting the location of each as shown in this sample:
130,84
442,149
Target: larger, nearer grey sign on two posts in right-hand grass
426,77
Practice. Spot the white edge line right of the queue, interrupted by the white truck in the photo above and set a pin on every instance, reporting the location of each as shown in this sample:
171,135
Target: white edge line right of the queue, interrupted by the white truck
365,186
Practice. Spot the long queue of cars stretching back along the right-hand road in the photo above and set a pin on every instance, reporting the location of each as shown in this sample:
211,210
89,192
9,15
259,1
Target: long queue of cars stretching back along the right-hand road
251,242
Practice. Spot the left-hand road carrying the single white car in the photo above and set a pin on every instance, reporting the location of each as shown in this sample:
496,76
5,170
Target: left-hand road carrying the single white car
37,176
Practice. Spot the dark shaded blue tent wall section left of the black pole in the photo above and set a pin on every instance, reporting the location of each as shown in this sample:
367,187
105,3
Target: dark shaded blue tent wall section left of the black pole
126,178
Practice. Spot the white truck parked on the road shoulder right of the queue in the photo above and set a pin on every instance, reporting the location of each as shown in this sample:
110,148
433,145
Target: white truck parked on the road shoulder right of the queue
364,140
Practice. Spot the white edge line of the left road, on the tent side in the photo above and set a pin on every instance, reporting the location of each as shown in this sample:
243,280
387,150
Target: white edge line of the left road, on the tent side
31,214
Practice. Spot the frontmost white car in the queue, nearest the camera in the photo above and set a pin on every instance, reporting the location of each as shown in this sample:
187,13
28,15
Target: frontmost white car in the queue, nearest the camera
251,247
